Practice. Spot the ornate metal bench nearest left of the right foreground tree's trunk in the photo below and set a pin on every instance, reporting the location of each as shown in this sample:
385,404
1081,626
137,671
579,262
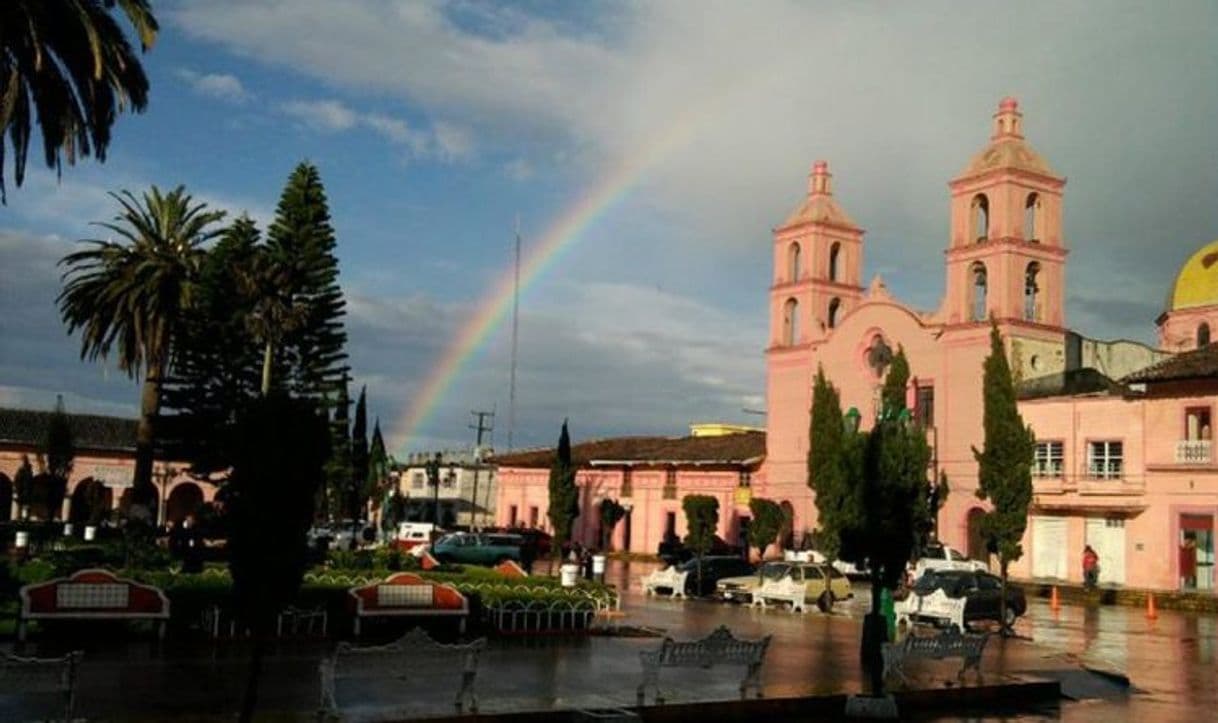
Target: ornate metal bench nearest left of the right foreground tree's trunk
719,648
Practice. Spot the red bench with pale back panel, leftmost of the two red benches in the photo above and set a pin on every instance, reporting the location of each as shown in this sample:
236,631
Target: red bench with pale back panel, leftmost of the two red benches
92,595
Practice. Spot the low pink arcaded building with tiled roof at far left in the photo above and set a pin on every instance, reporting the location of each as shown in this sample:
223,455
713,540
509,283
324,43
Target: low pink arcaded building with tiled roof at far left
105,461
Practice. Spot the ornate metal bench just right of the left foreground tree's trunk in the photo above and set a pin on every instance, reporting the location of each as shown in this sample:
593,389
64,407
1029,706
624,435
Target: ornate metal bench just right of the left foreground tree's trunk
414,655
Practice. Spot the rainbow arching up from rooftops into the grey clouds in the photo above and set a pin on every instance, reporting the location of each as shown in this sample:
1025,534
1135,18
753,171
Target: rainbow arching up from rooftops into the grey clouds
560,238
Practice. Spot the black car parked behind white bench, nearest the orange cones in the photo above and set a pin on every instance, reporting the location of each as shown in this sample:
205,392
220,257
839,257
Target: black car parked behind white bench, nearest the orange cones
982,593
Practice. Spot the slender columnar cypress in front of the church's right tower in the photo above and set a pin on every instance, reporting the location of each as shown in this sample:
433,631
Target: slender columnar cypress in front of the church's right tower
1004,467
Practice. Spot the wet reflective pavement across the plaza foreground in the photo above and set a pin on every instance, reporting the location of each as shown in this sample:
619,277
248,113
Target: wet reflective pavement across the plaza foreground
1171,663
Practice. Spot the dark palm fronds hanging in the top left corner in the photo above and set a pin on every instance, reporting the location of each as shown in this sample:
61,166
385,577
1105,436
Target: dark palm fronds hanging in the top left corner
70,63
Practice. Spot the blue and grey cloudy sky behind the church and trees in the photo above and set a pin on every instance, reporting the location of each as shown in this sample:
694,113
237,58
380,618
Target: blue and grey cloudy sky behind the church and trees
683,132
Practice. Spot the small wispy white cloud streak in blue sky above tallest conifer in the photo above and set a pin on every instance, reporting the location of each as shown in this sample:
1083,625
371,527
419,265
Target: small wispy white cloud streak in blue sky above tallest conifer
444,142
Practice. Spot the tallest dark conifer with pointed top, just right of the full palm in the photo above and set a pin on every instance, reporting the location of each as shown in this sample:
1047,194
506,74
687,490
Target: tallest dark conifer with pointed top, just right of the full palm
314,360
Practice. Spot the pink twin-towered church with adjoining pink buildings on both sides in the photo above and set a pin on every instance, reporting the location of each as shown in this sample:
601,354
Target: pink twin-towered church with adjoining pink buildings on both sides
1124,459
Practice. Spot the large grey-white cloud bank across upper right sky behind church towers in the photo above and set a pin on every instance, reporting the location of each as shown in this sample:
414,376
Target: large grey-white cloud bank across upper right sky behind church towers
723,110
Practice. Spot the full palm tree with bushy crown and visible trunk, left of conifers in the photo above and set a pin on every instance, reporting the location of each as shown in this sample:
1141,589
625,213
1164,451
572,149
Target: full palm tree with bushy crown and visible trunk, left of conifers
130,296
